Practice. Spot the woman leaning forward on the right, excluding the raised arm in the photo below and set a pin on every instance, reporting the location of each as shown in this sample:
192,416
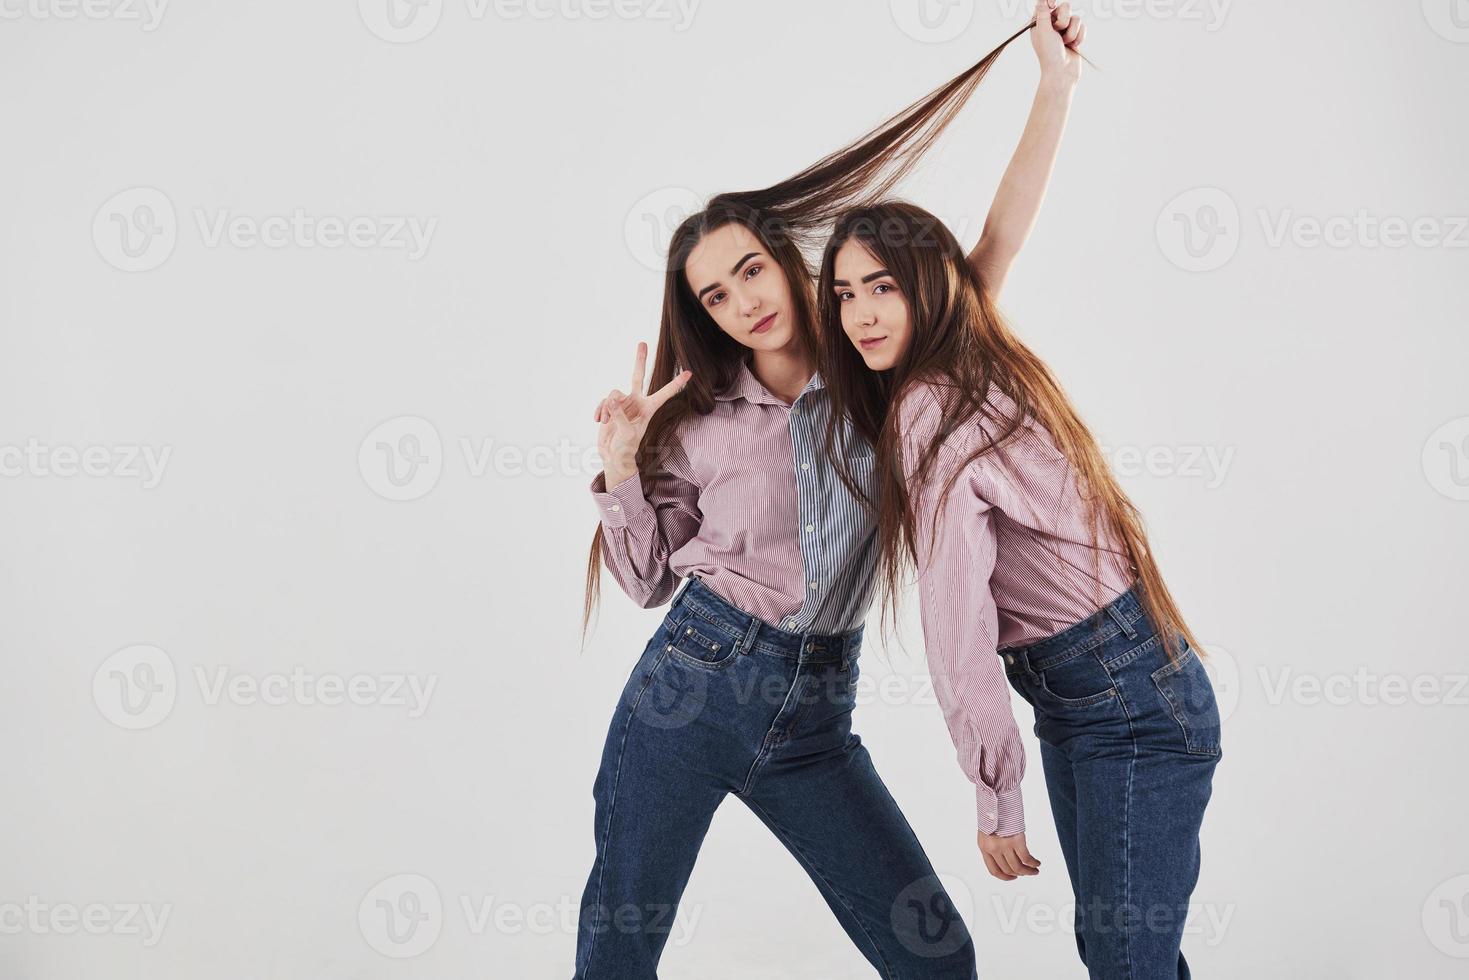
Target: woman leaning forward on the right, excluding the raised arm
1033,568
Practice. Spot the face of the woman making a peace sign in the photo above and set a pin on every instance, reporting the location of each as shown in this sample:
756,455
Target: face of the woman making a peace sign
743,287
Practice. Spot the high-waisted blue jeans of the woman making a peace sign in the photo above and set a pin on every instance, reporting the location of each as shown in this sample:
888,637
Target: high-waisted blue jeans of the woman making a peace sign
723,703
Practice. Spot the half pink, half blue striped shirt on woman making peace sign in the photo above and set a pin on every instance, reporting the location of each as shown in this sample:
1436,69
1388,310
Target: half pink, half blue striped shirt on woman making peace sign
747,500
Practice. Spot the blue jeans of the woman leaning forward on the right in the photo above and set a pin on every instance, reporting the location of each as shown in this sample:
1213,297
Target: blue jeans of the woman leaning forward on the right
1129,741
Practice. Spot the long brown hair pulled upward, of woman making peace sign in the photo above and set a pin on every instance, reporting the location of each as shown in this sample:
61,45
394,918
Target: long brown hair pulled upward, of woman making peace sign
790,220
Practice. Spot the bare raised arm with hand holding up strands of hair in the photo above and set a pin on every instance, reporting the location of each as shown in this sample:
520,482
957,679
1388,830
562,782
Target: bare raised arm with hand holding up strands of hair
1057,39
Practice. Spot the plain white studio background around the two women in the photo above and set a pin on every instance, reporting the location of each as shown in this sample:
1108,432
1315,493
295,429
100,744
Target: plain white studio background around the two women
544,156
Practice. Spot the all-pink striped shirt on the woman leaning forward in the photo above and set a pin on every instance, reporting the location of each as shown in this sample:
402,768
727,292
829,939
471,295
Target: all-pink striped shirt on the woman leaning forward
1013,563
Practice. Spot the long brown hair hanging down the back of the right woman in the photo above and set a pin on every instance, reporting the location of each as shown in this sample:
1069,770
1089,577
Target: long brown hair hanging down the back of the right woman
961,343
